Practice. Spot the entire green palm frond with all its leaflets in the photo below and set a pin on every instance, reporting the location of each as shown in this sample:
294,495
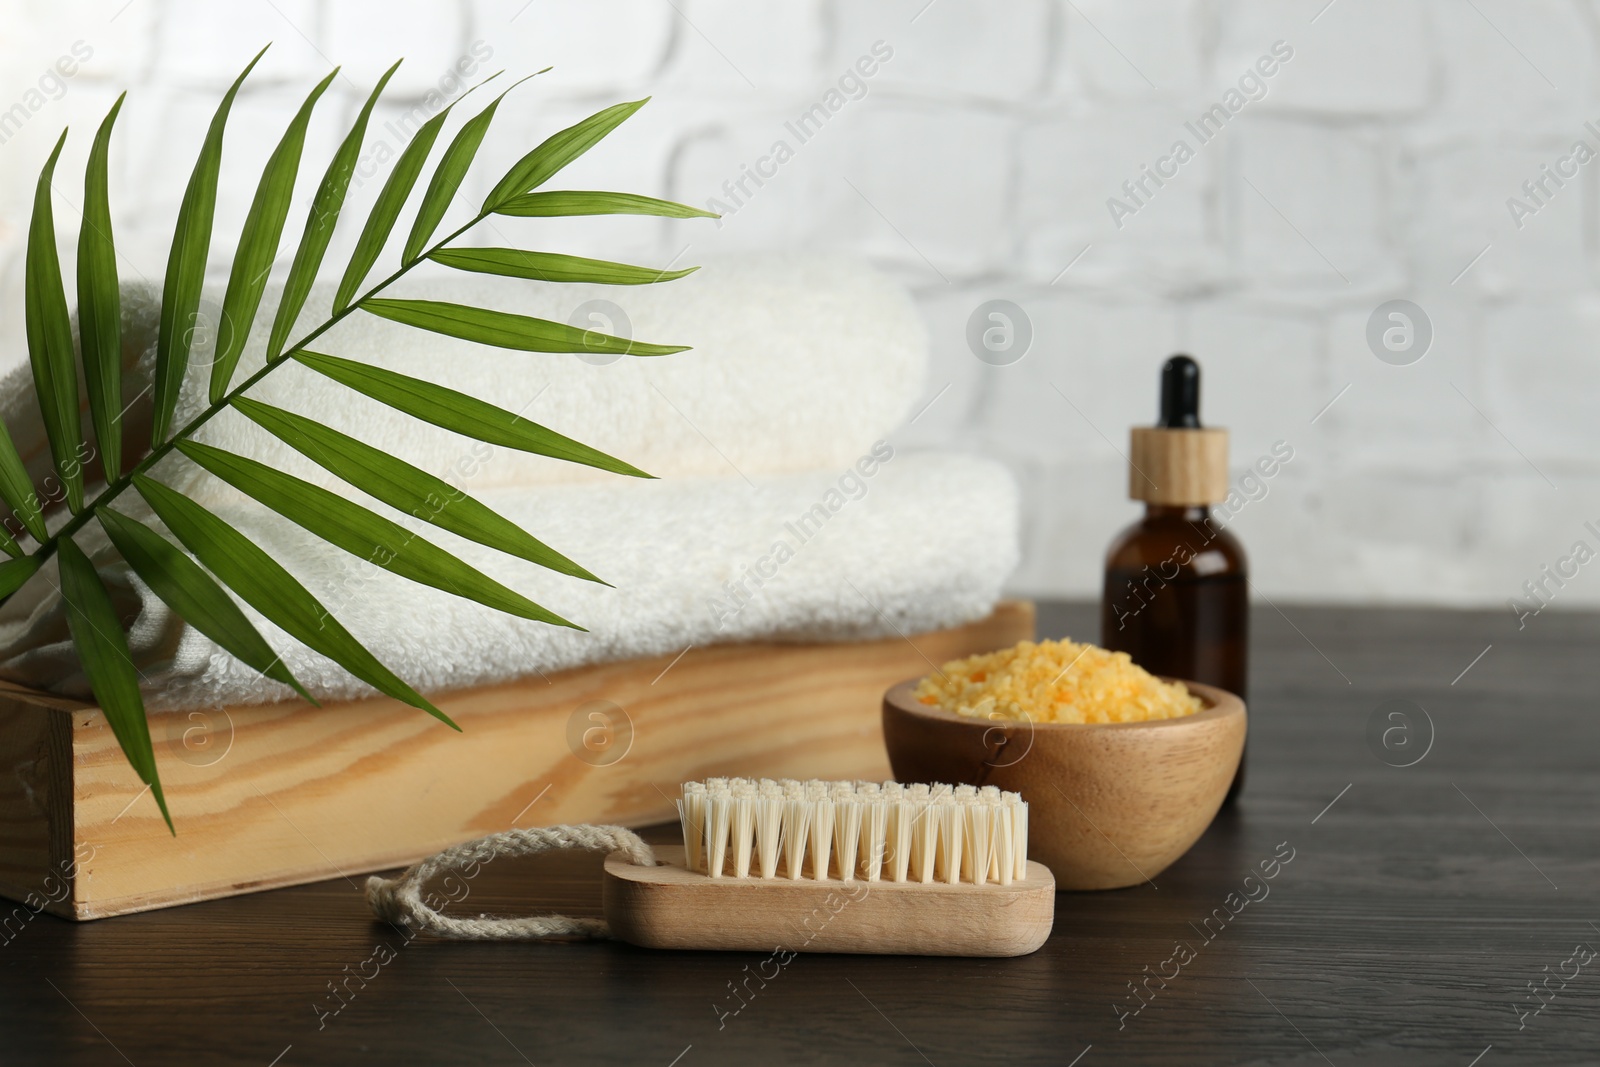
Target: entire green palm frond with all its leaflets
223,559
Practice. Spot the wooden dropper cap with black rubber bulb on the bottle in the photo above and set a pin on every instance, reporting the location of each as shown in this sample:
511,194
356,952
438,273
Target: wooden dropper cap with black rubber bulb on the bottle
1178,462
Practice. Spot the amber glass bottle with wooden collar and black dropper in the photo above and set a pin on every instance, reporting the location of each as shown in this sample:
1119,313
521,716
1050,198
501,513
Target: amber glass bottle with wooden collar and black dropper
1177,596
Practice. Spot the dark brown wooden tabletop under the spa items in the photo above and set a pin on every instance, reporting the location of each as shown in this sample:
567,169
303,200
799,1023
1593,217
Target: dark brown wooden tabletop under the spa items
1420,911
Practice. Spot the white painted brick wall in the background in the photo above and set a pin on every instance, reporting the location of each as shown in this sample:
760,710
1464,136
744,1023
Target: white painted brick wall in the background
1375,167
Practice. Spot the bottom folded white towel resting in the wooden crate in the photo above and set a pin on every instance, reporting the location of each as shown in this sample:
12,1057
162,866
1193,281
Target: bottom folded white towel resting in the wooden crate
922,543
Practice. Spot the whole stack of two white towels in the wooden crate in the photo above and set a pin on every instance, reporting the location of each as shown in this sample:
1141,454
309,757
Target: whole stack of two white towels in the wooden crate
783,511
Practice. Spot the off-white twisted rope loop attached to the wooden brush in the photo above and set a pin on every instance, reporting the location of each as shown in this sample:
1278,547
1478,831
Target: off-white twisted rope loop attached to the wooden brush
401,900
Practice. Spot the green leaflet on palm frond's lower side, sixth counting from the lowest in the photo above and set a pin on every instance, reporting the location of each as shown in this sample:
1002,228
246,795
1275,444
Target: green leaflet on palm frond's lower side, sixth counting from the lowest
462,414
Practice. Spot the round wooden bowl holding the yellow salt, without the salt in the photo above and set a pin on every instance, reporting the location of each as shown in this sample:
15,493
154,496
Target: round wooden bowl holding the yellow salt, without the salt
1111,805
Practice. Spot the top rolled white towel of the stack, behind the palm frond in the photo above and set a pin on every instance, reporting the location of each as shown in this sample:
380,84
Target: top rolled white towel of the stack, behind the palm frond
798,364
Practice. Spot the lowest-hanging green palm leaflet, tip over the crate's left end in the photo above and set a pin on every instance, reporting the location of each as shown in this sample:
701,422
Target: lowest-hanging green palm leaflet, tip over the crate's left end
103,647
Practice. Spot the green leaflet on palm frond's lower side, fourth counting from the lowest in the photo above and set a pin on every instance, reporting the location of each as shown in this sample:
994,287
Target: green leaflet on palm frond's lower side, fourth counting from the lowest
362,533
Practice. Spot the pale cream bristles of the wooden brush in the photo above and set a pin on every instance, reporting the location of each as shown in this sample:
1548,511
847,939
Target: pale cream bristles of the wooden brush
854,831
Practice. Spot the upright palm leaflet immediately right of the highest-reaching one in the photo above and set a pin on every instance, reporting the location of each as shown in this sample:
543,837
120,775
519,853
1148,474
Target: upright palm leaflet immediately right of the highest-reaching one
258,246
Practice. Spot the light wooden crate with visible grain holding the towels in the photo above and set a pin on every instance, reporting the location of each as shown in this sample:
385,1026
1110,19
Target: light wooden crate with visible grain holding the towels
281,794
